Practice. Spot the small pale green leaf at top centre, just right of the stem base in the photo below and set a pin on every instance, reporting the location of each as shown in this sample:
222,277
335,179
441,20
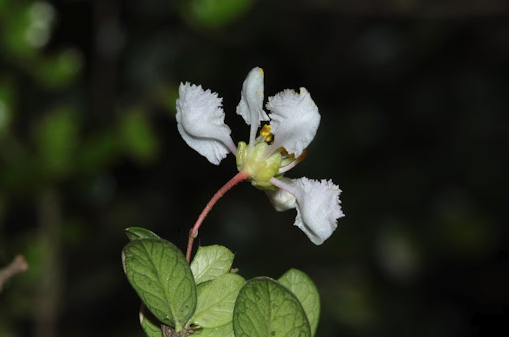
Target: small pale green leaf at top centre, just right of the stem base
211,262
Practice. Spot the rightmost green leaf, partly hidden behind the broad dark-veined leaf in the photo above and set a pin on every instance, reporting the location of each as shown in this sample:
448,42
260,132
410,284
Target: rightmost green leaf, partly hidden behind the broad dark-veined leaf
303,287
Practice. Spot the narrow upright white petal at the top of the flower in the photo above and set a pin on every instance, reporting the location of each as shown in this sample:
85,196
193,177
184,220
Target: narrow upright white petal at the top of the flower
251,98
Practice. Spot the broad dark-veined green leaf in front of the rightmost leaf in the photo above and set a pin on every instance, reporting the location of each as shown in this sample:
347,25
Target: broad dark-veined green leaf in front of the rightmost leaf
266,308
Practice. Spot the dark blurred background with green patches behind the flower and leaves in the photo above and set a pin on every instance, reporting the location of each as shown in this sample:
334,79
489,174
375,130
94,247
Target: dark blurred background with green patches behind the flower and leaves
414,98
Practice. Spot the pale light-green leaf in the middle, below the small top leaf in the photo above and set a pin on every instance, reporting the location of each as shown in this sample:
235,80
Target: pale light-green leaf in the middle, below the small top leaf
216,300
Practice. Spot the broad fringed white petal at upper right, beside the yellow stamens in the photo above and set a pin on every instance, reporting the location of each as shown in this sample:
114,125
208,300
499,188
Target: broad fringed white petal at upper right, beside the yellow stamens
294,120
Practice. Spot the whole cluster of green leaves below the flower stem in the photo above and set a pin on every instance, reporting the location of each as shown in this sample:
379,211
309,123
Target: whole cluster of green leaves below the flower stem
208,298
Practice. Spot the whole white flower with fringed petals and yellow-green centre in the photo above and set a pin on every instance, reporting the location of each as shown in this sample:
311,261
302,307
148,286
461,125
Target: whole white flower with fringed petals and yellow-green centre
294,120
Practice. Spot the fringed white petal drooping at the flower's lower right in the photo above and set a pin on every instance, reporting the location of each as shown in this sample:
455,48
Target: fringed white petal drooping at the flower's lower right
318,208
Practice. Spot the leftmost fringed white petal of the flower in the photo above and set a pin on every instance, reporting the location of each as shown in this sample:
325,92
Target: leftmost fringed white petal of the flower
200,119
